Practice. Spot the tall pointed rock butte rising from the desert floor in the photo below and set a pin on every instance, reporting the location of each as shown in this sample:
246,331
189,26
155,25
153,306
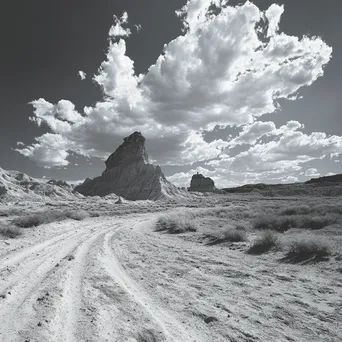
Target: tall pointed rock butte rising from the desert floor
129,174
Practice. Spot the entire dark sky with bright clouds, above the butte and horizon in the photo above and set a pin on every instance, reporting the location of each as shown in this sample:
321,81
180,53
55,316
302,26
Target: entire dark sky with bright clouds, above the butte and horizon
242,92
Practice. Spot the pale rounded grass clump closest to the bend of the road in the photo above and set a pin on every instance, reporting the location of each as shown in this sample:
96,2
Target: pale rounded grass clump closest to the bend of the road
175,223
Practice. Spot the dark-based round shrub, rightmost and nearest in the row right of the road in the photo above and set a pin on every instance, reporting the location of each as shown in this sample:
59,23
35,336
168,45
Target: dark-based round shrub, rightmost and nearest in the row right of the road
309,248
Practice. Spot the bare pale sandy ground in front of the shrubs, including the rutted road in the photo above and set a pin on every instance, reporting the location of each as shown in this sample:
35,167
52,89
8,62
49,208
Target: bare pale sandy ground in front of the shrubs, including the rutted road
116,279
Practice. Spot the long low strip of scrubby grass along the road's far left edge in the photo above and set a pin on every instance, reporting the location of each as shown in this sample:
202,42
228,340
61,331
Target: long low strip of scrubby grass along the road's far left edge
37,219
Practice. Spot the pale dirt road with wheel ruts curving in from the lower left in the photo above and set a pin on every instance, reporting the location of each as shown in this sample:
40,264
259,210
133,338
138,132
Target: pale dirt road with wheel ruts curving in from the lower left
71,287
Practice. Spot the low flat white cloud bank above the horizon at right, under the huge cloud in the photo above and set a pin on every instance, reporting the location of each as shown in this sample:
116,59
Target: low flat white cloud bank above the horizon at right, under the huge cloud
285,155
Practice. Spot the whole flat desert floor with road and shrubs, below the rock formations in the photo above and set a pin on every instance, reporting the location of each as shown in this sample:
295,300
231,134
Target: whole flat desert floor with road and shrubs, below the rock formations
211,268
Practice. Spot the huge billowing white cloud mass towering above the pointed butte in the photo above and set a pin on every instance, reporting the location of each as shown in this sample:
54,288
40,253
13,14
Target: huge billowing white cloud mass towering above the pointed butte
228,68
